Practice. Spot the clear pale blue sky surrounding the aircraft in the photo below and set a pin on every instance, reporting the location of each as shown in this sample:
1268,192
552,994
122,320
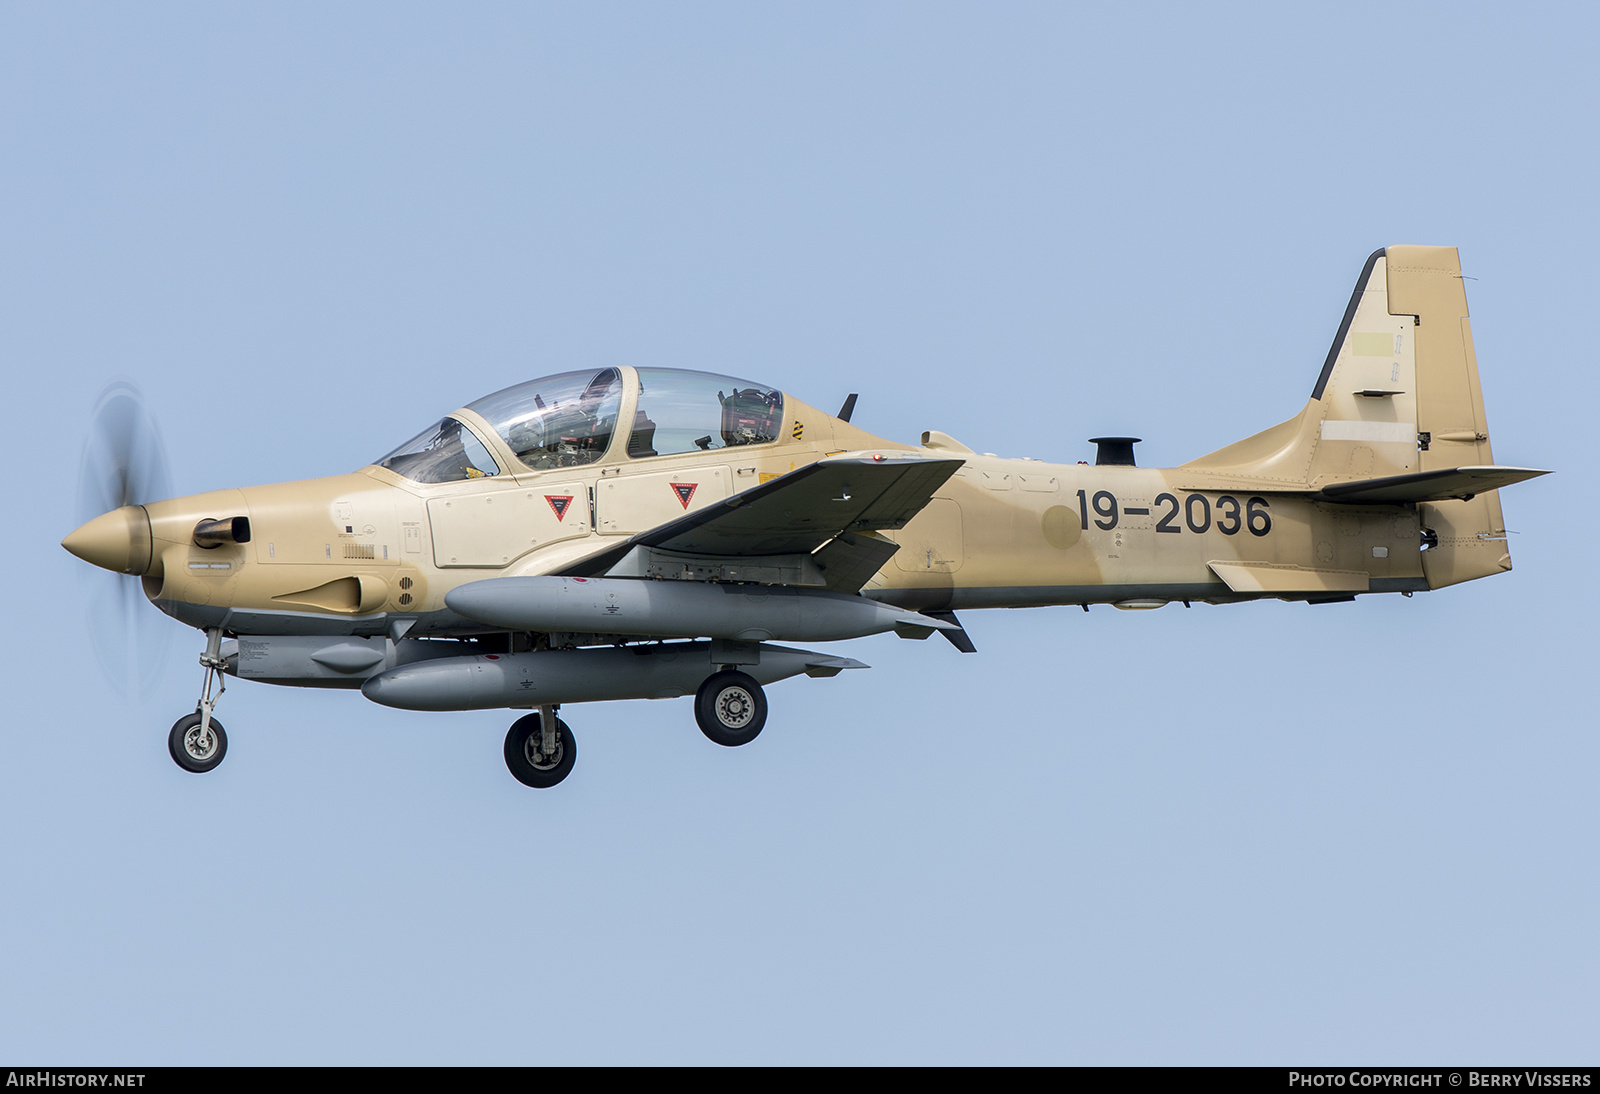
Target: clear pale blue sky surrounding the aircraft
1258,834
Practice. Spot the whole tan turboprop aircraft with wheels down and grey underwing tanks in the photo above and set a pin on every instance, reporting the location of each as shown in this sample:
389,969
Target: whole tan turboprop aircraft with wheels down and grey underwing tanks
646,533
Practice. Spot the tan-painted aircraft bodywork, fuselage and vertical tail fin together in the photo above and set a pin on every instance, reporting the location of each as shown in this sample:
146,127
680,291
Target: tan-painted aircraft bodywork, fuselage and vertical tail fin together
1399,396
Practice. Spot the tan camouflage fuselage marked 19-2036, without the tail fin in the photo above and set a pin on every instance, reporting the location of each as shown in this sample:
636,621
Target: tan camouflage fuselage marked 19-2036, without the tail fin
353,553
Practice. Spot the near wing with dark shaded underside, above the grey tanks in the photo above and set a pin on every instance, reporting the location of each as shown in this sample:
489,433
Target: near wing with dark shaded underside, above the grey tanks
833,500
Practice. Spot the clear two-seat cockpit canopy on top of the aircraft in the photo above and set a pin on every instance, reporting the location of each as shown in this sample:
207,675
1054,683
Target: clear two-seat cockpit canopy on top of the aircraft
572,420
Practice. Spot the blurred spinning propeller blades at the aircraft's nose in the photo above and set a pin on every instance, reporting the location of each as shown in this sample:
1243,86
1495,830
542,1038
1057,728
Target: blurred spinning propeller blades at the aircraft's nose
124,465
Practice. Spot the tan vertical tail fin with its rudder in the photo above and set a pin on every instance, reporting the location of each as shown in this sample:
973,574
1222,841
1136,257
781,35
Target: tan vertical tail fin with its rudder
1398,396
